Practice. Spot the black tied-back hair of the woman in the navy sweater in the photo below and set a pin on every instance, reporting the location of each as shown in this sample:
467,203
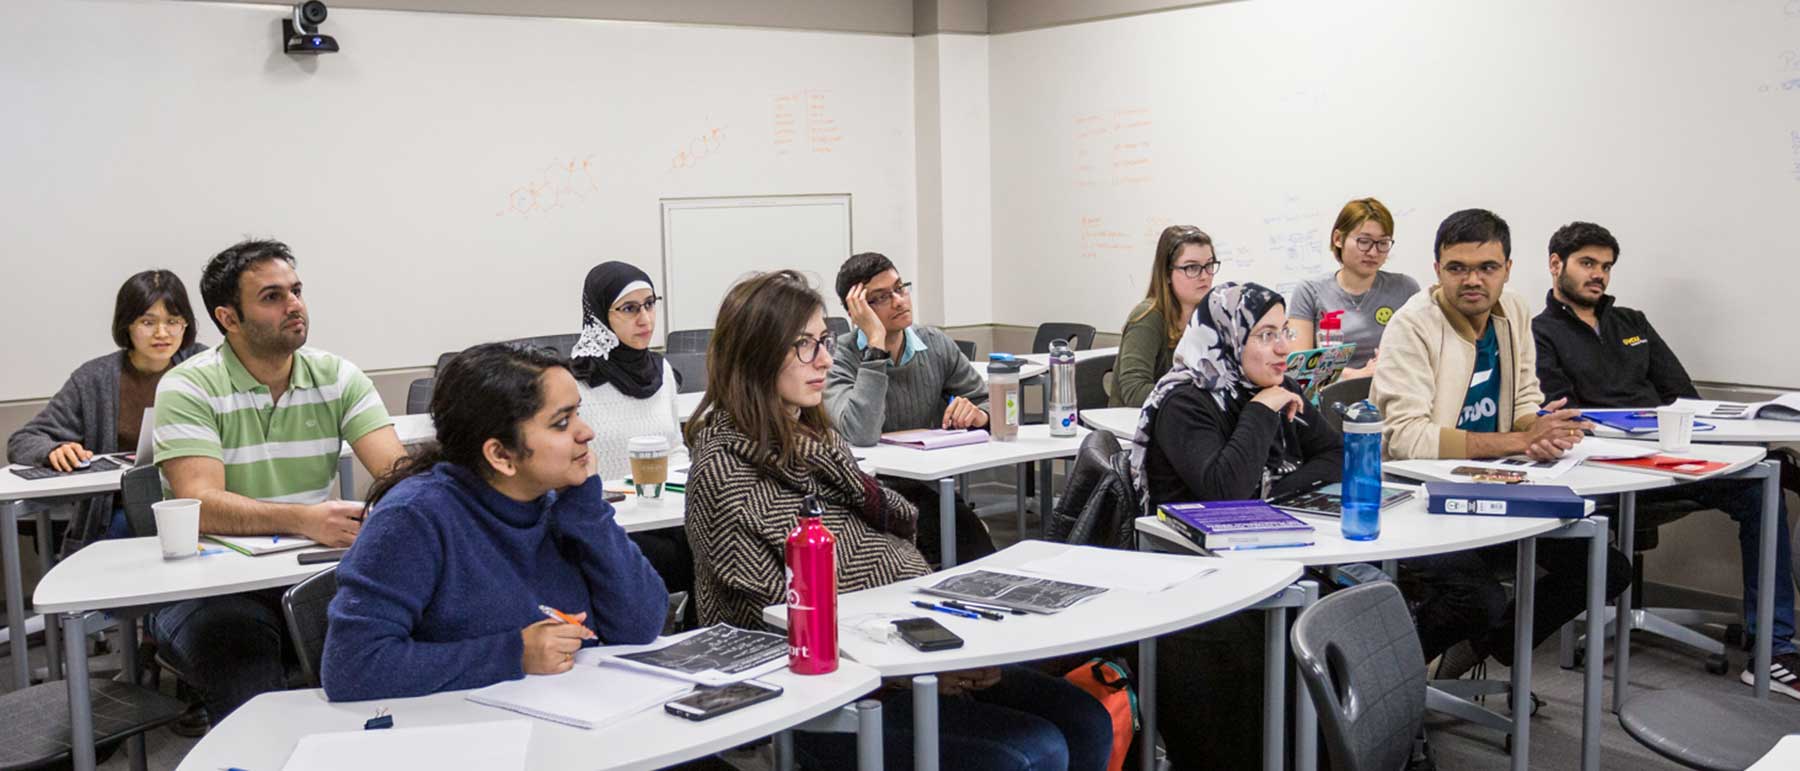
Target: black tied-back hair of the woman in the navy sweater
489,392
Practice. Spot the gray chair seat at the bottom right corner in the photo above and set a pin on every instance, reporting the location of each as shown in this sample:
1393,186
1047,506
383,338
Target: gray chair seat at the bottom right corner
1707,730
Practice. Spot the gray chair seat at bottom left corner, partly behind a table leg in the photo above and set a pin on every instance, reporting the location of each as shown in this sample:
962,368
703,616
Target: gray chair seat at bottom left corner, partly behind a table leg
35,721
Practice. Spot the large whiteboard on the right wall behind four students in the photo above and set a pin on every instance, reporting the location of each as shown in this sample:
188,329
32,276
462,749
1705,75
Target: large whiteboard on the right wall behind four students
1675,123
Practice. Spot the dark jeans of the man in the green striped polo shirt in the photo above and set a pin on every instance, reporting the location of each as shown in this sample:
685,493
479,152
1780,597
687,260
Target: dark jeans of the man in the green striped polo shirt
228,648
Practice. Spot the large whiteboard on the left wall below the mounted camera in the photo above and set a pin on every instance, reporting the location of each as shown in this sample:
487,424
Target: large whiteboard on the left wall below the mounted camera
447,179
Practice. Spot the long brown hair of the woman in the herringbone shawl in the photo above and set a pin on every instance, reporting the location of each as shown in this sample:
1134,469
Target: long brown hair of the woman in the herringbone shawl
757,325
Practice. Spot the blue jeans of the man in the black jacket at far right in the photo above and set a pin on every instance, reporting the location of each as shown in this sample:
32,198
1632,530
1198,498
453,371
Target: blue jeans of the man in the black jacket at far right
1743,502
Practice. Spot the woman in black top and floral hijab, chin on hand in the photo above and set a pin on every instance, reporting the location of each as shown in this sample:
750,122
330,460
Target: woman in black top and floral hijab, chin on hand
1236,428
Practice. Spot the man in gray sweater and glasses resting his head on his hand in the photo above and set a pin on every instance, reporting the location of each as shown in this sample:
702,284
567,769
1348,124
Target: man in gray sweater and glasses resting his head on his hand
892,376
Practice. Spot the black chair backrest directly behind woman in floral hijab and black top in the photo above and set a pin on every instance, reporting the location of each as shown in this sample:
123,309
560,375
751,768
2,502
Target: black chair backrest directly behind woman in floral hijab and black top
1099,503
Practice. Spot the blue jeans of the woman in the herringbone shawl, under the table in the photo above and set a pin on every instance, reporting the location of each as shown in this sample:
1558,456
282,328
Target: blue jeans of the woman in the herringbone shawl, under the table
1029,721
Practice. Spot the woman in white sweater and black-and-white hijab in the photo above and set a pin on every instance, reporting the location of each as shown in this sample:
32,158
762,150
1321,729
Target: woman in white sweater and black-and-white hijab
627,390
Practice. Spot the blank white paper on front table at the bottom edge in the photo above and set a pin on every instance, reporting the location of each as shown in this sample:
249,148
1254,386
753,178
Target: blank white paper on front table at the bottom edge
496,747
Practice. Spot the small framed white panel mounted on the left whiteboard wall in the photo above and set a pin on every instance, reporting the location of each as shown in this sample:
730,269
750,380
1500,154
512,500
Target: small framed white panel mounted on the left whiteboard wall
708,244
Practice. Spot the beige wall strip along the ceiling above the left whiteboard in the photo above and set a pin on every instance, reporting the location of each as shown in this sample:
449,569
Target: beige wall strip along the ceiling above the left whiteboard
868,17
